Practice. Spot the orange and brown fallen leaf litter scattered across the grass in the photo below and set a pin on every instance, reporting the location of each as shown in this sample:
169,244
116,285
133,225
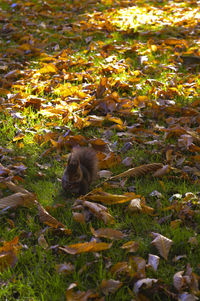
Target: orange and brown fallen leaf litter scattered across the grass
84,85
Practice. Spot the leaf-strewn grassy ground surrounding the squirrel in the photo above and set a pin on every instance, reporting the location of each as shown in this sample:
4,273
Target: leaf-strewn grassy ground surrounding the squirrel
68,68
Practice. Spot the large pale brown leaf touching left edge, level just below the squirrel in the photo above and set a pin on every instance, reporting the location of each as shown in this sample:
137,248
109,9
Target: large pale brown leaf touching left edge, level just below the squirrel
18,199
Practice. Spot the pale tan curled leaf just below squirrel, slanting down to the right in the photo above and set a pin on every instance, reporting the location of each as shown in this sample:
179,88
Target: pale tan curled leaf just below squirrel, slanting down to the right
99,211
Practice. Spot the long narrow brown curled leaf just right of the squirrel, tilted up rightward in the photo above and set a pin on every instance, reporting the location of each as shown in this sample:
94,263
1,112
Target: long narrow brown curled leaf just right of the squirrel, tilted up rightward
139,171
